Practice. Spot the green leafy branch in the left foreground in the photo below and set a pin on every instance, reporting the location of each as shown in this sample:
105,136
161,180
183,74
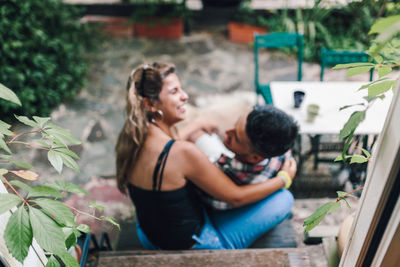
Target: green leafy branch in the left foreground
41,215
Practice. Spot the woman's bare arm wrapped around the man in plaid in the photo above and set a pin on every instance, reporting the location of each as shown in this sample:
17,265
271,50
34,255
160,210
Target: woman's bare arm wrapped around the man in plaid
198,169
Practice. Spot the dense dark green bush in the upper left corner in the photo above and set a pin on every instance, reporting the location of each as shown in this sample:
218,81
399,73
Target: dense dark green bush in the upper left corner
40,54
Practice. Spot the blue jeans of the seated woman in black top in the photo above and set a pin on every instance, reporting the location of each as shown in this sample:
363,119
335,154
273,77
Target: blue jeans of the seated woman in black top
240,227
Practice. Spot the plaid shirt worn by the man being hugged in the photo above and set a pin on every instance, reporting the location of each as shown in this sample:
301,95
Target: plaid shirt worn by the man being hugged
242,174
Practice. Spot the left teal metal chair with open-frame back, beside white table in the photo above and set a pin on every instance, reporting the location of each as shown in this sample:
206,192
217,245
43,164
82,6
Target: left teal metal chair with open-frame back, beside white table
275,40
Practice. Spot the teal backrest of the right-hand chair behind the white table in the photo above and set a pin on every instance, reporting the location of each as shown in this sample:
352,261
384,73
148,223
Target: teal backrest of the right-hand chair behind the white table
334,57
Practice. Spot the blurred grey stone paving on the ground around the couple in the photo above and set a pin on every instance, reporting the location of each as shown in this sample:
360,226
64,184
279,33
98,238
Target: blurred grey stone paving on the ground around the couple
212,70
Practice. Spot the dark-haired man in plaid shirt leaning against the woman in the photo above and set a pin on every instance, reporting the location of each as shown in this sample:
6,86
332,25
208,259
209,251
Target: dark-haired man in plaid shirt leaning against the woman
253,151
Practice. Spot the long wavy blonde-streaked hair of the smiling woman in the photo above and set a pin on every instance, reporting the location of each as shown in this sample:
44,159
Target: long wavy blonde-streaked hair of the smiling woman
144,81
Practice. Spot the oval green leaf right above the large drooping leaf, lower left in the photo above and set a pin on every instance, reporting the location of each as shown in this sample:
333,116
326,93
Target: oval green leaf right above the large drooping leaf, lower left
57,211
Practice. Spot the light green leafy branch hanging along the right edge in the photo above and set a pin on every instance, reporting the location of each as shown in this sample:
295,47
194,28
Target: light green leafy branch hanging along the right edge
385,52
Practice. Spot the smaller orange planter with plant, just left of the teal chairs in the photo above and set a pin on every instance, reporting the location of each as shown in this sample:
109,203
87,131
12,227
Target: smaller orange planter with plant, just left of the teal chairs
245,24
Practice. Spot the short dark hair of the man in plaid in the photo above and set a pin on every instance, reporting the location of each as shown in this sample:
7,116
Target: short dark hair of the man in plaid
271,131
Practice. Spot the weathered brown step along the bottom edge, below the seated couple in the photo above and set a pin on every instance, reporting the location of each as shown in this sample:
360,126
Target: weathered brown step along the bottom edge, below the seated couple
245,257
